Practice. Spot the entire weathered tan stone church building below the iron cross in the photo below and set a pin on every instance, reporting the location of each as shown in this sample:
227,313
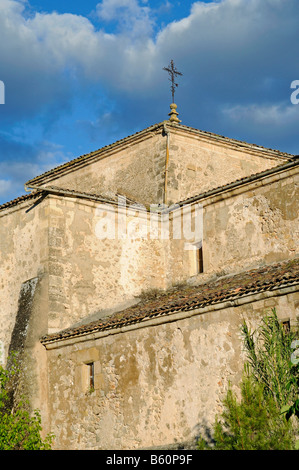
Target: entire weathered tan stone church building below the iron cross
65,279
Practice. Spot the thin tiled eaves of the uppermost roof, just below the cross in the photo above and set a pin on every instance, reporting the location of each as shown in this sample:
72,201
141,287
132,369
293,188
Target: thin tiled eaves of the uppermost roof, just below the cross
88,158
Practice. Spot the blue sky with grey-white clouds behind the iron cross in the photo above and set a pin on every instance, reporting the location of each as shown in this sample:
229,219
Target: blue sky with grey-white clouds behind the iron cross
79,75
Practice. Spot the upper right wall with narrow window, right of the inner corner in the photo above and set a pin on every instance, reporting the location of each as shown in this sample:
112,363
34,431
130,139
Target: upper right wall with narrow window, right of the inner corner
242,229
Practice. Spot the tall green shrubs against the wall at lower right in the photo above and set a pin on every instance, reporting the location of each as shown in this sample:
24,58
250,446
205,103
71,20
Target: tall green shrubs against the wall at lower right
260,419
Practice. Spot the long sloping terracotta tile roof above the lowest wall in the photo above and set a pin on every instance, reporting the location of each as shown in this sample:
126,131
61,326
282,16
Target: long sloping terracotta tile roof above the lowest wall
188,298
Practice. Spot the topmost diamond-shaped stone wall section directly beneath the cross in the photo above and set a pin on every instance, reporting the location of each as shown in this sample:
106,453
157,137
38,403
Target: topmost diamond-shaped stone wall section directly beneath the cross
164,164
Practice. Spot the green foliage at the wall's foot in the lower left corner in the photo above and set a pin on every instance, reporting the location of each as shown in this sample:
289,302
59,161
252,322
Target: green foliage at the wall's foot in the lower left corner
19,430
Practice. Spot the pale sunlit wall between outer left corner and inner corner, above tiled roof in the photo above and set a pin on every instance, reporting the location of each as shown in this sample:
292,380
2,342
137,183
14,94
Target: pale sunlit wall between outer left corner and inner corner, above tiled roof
91,268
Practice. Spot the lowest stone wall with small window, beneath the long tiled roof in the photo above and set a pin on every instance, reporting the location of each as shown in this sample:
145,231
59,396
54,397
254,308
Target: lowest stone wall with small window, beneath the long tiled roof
155,384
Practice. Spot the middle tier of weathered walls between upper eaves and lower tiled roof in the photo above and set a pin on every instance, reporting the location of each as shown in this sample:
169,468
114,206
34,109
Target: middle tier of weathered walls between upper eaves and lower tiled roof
85,274
